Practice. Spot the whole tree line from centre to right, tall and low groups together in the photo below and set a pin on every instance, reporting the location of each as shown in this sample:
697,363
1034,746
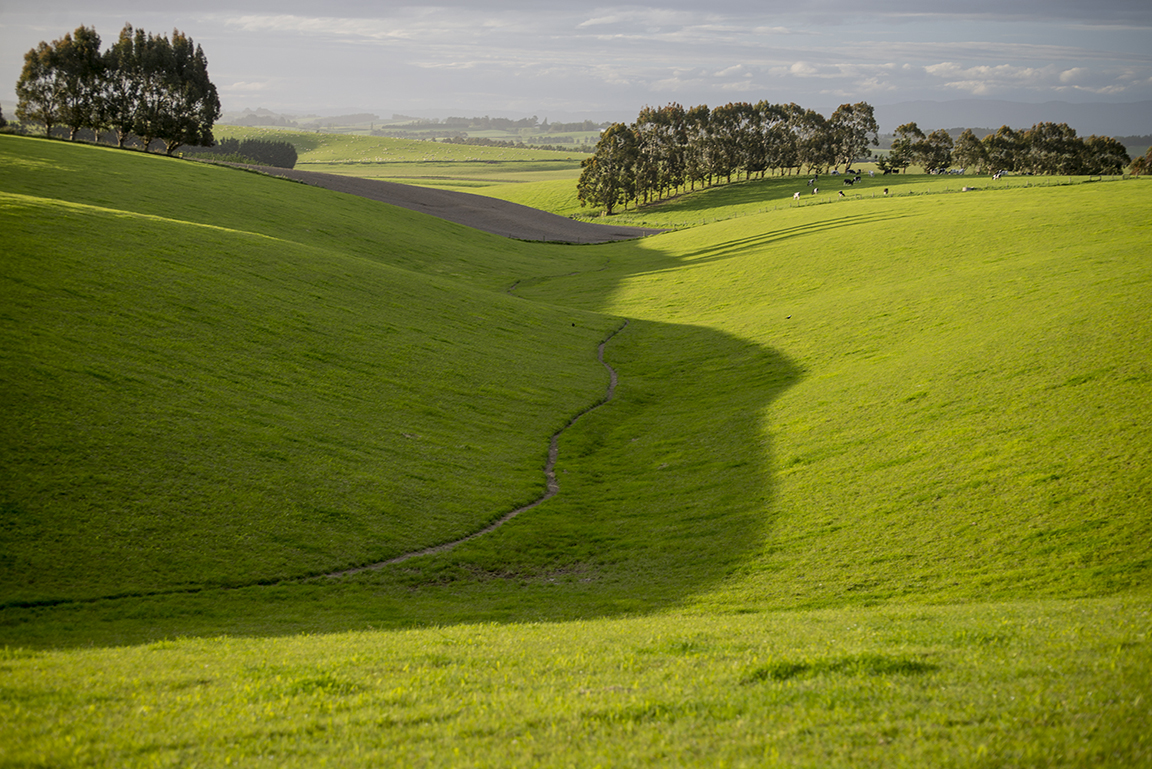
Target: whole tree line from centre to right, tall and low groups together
669,149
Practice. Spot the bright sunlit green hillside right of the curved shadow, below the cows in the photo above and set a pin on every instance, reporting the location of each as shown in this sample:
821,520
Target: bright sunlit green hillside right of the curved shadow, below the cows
967,423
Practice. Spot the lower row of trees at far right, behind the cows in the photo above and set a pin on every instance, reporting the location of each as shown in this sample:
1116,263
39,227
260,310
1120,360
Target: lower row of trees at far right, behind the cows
1044,149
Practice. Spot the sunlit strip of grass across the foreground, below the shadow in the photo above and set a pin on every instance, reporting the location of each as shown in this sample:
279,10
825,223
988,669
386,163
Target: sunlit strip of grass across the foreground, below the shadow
1036,684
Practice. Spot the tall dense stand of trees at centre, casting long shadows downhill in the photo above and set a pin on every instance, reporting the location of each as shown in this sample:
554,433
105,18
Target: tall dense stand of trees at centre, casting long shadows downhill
672,148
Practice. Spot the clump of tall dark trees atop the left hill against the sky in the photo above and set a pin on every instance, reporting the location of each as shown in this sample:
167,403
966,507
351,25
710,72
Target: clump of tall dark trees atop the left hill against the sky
145,86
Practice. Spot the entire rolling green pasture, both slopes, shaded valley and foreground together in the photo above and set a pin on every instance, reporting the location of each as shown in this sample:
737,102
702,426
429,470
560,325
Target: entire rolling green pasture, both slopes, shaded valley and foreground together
874,489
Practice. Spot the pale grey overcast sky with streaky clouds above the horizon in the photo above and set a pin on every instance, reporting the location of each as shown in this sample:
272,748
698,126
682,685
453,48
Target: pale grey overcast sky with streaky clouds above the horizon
522,58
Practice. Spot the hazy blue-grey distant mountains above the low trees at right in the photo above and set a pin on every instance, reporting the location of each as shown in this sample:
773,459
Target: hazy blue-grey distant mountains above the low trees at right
1103,119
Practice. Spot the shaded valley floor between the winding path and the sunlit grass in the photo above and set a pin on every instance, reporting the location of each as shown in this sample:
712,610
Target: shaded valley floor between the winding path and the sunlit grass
664,493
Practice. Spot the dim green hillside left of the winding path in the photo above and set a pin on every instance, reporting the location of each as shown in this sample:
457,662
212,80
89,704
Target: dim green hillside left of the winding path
283,368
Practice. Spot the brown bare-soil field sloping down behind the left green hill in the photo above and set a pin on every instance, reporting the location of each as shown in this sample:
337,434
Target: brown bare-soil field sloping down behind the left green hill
476,211
